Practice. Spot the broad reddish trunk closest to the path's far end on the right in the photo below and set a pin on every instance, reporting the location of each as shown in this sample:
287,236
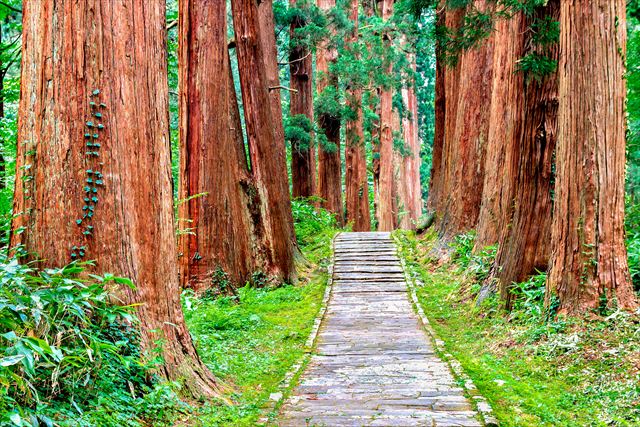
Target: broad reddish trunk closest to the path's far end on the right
466,136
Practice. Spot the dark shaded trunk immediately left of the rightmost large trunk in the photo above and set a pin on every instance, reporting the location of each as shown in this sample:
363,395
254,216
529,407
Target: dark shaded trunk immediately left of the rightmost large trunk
525,232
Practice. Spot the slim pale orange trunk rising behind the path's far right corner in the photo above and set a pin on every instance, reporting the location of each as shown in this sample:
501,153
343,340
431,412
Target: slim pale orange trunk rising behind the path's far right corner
385,213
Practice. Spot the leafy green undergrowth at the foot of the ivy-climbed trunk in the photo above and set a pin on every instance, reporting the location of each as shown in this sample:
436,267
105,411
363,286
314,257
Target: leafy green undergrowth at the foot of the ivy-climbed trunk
70,357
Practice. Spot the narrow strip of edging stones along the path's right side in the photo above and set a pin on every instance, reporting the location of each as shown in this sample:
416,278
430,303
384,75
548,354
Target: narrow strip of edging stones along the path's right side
483,407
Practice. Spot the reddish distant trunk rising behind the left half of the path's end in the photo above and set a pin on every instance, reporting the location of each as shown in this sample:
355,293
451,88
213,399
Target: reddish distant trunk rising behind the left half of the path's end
356,184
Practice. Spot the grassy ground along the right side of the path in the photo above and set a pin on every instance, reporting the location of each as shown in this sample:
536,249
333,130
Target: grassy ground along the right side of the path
533,370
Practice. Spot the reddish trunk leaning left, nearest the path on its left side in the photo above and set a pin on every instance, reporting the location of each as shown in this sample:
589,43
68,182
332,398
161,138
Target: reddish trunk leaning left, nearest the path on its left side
268,160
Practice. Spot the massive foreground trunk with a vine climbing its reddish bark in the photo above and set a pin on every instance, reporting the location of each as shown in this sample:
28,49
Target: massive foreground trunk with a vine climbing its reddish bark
70,49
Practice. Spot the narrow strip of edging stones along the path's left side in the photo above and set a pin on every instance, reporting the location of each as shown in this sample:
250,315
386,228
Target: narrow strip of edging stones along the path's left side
276,399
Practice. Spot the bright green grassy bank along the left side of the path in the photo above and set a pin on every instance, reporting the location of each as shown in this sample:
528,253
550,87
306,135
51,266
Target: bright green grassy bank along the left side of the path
251,340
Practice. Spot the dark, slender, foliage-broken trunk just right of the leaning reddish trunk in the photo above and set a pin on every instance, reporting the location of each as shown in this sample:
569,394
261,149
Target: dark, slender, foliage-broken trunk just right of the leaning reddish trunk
303,162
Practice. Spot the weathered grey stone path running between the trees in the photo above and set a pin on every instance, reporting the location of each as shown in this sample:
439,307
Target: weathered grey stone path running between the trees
374,365
